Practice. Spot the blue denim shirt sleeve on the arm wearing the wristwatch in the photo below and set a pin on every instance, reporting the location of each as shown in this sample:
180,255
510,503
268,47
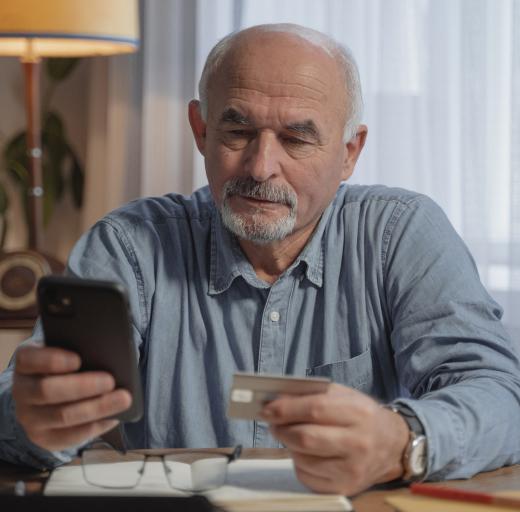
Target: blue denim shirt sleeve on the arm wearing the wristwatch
452,352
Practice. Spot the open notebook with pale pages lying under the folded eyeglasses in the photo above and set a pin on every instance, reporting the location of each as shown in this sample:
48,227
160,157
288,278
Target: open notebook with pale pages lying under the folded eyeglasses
255,485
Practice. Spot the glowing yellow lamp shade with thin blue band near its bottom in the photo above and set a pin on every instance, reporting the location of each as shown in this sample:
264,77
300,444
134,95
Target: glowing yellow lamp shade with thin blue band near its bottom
67,28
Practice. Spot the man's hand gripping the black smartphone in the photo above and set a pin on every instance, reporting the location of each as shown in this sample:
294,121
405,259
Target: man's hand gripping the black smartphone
59,408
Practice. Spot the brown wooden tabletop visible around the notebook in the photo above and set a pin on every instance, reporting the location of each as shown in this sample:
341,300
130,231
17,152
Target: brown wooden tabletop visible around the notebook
373,500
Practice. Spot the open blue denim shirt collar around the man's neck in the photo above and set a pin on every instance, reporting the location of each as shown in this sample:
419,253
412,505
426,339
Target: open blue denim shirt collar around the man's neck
227,261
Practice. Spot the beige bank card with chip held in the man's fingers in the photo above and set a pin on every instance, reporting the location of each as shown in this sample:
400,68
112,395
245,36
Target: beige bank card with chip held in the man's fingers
251,391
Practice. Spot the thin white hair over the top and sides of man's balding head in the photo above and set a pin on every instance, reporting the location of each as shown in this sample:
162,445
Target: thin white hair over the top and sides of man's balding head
306,43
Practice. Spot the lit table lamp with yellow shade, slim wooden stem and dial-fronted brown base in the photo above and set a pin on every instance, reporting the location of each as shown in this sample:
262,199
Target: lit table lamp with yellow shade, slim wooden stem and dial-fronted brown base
32,30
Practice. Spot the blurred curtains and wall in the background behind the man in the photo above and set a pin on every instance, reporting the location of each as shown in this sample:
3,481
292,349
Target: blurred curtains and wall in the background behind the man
441,83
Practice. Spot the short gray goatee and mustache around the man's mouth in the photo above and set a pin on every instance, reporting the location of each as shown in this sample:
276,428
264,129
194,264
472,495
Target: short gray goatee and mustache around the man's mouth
254,228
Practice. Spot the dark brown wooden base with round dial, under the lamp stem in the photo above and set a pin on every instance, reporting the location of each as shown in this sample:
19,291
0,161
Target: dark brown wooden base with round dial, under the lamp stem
19,275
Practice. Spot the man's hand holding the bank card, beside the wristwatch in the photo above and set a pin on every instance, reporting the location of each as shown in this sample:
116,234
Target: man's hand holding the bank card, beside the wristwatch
341,441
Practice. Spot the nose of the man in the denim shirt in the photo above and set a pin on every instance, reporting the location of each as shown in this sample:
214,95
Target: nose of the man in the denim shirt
263,157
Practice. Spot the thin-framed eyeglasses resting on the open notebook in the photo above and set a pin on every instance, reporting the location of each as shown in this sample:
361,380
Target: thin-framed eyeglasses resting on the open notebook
105,466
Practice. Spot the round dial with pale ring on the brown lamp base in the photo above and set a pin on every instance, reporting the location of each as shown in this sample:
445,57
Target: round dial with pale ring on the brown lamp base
19,274
